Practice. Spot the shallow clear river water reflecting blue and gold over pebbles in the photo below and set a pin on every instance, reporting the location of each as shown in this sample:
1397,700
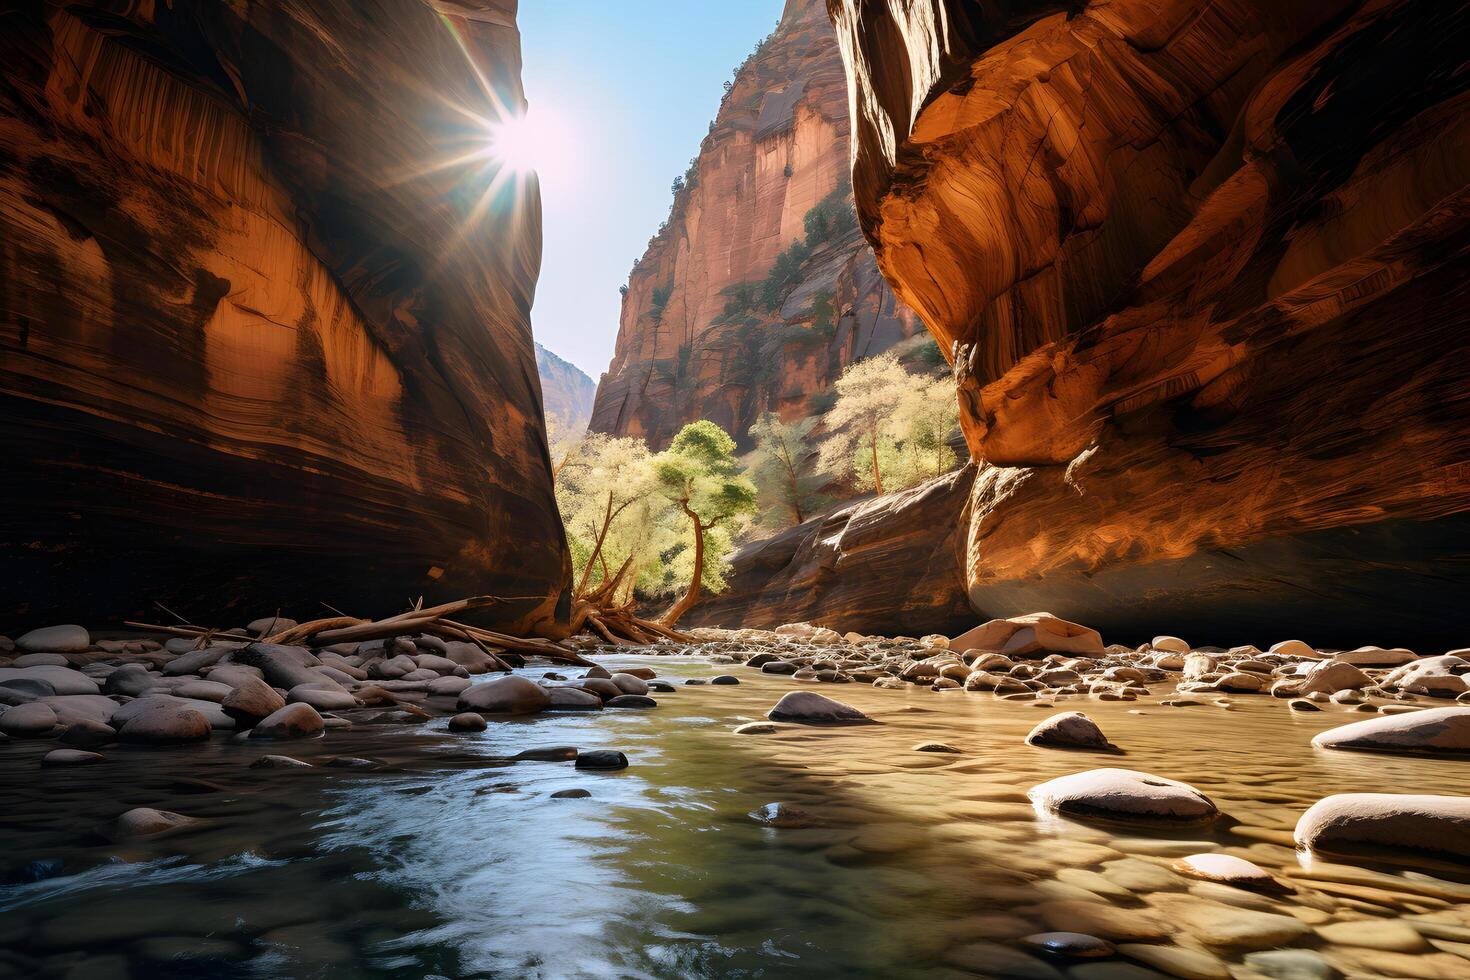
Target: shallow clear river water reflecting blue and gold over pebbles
453,862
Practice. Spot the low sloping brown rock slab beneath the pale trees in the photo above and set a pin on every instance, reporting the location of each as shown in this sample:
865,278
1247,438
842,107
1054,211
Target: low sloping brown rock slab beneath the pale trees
893,566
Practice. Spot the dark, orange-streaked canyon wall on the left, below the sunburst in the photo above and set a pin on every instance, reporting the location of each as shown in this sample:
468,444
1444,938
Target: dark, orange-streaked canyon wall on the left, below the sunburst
254,349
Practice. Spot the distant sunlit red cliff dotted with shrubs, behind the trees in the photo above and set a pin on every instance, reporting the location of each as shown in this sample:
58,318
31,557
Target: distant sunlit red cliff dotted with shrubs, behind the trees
692,343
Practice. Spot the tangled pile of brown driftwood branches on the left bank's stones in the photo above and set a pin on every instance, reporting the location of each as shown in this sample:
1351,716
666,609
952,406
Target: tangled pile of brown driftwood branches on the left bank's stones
434,621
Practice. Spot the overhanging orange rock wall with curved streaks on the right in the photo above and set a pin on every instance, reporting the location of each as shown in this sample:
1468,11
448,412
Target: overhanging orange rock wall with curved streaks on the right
1202,270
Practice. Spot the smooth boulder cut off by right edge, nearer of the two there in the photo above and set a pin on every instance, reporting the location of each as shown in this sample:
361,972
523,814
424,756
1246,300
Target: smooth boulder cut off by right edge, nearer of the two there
1433,826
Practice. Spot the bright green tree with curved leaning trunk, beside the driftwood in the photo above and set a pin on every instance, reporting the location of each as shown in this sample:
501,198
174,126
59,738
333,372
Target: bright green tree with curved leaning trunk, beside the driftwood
698,474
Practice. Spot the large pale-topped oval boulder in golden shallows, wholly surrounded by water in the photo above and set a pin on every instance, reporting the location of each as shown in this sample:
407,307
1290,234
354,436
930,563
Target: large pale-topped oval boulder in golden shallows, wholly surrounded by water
1124,794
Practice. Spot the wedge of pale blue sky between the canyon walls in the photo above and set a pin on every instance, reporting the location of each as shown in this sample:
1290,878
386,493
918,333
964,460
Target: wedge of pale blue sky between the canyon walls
631,86
